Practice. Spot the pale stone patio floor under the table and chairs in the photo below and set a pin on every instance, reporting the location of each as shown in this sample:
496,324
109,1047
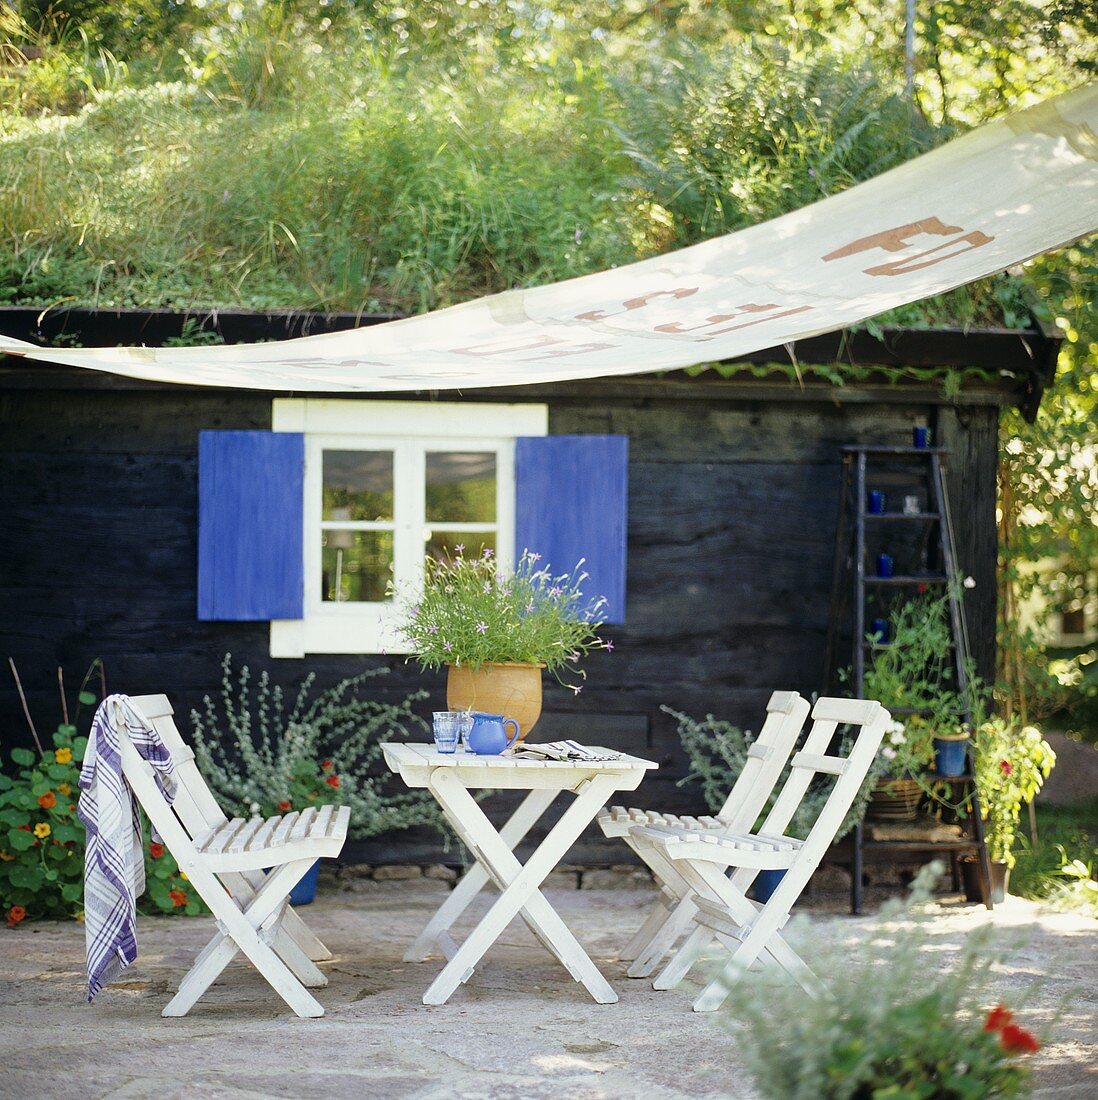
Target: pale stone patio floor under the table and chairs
520,1029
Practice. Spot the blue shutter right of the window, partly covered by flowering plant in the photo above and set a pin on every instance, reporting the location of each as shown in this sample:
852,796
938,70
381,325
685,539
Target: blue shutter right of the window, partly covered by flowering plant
570,503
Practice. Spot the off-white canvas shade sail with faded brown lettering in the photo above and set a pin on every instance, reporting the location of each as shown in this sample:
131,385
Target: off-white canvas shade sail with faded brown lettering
993,199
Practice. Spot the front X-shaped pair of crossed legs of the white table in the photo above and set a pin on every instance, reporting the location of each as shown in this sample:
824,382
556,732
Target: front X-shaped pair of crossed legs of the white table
522,890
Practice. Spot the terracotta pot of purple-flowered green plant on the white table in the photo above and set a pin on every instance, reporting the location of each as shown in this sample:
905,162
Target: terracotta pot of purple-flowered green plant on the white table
496,631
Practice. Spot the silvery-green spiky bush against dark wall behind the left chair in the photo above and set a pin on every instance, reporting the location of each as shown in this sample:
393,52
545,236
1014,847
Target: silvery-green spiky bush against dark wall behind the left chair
265,755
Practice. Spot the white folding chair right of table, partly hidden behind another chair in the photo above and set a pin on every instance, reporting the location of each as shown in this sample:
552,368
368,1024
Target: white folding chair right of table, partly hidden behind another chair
675,909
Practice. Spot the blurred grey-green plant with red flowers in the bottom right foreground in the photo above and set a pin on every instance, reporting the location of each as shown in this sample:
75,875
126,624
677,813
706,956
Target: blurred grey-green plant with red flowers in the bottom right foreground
888,1025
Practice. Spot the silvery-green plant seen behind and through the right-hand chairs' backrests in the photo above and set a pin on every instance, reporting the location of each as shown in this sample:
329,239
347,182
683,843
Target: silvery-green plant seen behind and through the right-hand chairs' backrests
718,753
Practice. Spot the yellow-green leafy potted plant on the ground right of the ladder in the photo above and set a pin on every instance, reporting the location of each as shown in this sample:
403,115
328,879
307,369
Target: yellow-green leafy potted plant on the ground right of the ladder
1013,763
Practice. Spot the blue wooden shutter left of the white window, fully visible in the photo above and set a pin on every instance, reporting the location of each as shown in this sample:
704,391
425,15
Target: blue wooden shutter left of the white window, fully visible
250,525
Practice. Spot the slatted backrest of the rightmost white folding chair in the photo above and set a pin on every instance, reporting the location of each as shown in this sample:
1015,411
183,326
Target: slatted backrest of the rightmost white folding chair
829,714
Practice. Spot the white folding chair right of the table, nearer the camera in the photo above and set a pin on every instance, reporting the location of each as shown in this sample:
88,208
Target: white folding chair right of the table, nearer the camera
704,857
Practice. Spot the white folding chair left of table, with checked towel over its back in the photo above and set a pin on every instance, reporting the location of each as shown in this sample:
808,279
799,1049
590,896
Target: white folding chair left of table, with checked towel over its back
226,861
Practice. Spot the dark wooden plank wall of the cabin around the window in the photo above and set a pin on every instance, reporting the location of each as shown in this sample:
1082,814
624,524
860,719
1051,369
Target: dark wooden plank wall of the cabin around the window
732,520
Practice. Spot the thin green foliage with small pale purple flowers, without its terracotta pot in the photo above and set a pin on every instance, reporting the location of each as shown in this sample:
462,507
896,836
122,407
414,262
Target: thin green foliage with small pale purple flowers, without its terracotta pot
473,612
